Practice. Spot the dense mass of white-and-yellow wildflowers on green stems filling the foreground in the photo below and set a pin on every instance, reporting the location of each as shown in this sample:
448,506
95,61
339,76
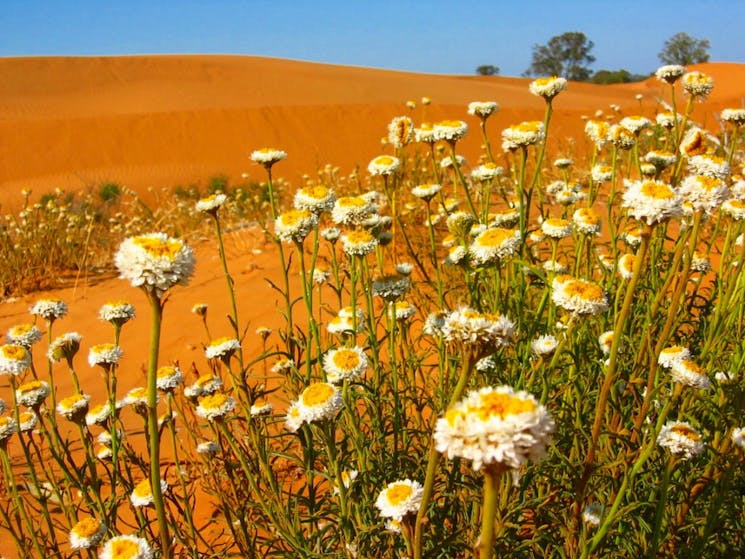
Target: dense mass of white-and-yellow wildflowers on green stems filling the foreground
520,358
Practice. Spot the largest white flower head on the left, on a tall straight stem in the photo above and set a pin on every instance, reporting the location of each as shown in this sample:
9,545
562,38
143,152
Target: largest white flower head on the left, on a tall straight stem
154,262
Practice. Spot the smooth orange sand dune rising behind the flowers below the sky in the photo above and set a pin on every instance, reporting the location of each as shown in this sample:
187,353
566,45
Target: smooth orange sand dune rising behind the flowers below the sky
166,120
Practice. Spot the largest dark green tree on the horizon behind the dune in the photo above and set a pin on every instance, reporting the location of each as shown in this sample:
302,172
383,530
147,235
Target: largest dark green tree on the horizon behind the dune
566,55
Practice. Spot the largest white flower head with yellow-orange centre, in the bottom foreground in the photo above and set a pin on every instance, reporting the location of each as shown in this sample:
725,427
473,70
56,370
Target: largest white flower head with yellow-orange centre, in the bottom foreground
495,425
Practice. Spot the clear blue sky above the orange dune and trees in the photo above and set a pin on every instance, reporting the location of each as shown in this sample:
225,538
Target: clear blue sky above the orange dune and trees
435,36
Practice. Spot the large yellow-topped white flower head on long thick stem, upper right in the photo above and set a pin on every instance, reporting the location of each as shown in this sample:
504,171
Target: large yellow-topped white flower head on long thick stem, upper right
652,201
